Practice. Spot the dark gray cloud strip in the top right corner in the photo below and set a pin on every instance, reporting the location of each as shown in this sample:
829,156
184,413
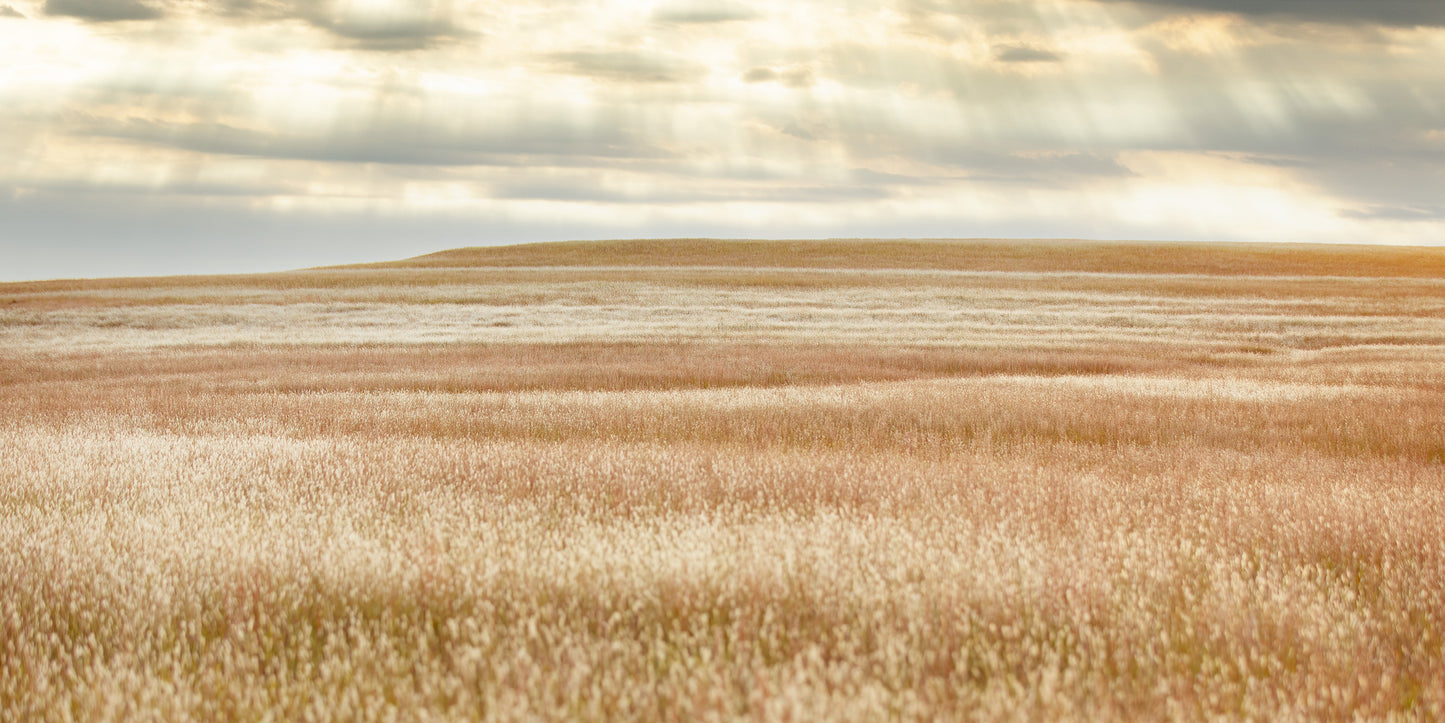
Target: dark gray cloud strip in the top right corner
1343,12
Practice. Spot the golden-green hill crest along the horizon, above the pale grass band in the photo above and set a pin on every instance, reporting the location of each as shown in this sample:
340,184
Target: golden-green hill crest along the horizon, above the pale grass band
491,275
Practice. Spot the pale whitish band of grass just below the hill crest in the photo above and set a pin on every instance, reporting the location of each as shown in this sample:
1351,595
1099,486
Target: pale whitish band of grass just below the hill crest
1056,313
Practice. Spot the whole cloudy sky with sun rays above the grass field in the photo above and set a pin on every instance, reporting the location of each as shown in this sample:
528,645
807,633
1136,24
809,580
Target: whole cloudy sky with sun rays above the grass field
184,137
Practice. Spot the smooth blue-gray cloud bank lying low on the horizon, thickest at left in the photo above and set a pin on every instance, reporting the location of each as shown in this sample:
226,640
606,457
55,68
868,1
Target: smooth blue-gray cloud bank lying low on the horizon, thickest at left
43,235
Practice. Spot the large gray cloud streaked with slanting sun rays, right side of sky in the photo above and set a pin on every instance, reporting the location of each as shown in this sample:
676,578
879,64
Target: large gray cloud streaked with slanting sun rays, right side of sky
1352,122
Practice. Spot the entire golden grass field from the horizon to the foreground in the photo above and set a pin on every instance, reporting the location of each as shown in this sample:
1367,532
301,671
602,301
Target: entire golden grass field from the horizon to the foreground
713,481
